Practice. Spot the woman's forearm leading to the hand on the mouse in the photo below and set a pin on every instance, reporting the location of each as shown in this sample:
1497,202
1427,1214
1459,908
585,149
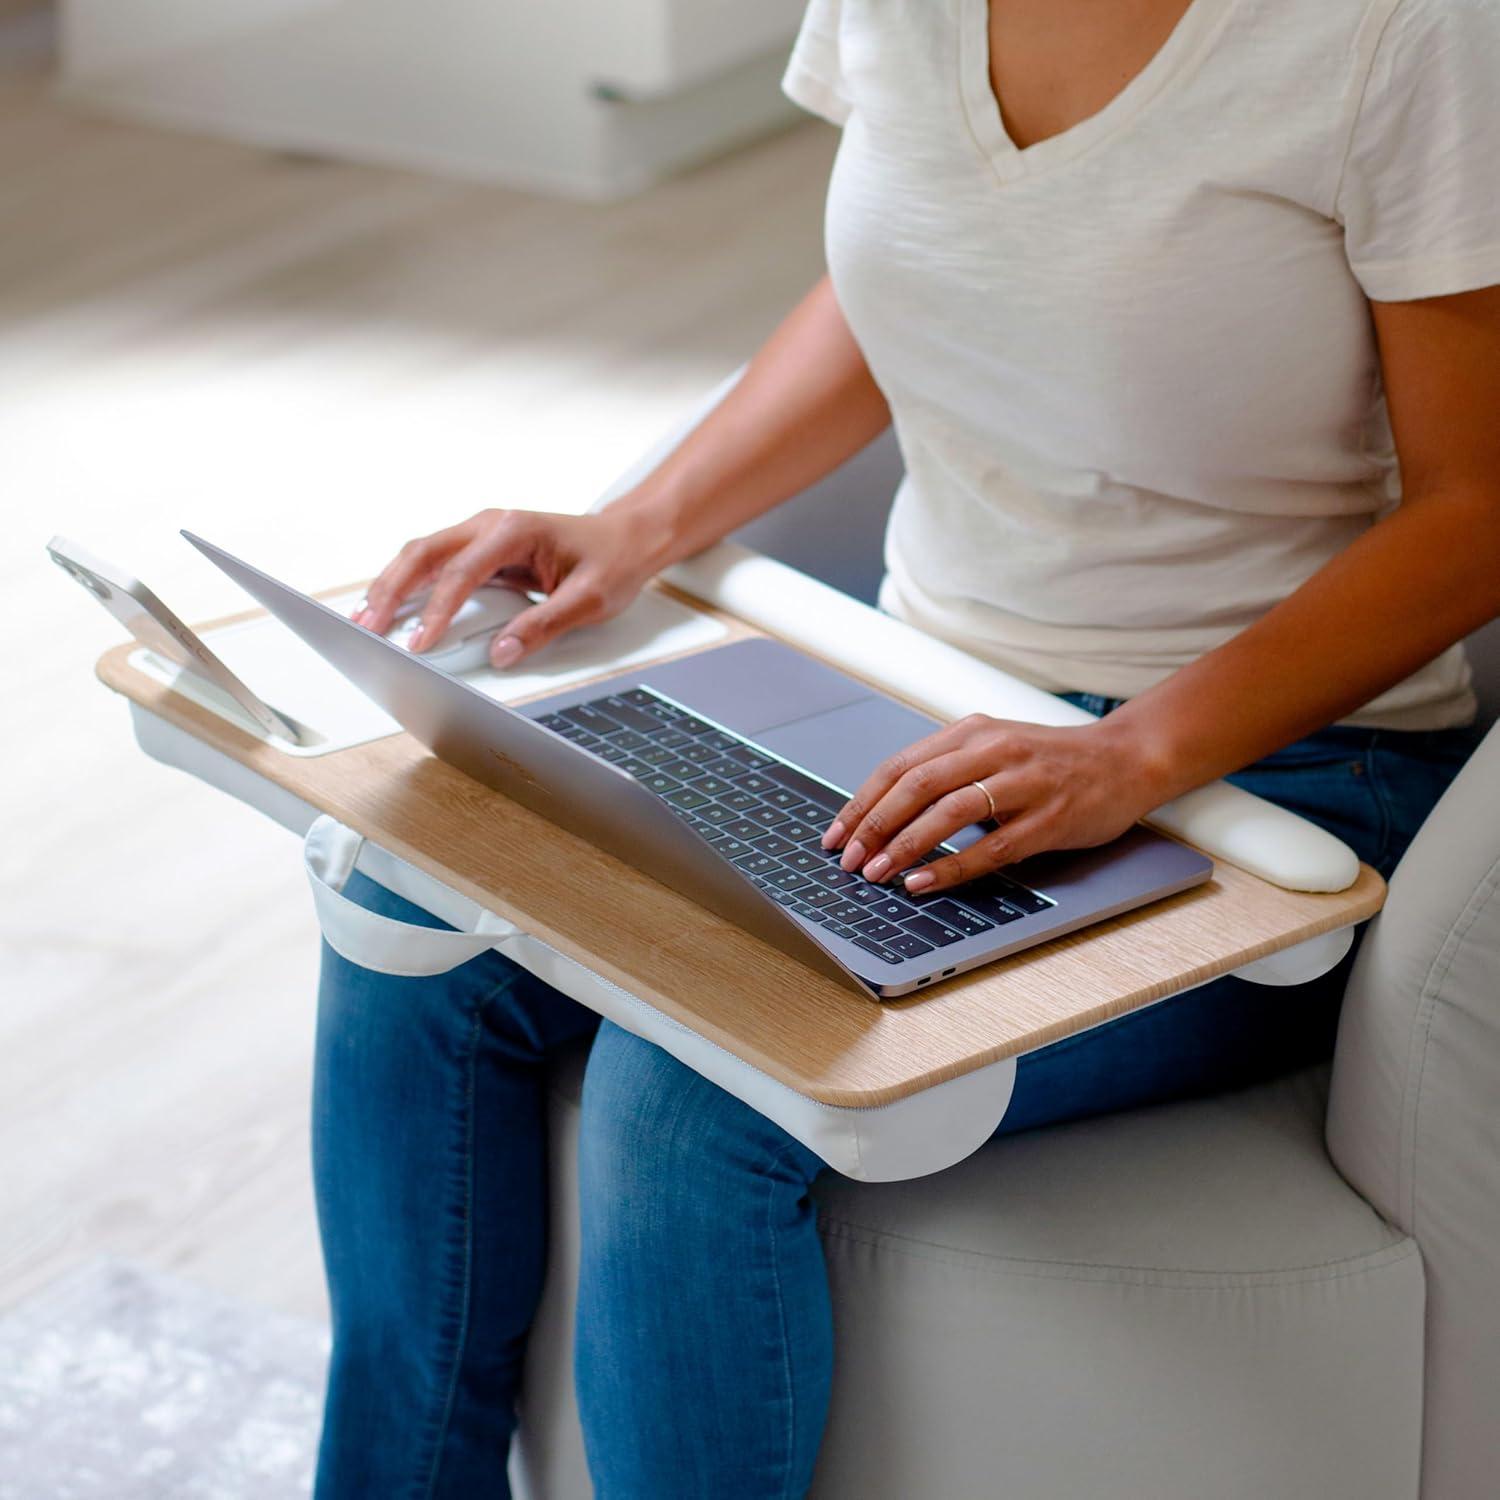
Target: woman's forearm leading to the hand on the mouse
805,404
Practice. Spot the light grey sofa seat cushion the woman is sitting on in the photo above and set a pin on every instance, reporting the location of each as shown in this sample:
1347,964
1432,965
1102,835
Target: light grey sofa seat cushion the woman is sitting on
1174,1303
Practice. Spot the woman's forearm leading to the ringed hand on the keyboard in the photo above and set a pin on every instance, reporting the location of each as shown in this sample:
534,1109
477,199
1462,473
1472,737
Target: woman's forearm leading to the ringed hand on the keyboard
1405,592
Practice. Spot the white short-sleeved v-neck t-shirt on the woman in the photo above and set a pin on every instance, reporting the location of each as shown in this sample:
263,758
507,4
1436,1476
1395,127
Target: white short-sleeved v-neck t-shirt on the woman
1133,368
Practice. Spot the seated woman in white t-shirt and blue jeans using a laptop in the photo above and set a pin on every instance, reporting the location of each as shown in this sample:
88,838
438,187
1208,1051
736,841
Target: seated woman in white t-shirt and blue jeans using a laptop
1154,295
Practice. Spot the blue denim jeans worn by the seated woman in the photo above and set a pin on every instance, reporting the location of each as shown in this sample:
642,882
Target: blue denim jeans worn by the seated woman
704,1354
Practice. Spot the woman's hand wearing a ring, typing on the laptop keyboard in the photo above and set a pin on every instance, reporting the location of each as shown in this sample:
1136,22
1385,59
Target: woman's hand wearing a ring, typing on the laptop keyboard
1051,790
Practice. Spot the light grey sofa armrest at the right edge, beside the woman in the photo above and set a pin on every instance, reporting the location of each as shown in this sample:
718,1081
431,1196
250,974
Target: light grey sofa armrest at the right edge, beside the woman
1415,1111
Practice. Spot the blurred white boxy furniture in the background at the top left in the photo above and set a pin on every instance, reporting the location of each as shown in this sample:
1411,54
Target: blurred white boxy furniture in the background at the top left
584,98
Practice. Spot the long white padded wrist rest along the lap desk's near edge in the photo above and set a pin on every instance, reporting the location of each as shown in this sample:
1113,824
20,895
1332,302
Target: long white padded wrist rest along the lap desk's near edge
931,674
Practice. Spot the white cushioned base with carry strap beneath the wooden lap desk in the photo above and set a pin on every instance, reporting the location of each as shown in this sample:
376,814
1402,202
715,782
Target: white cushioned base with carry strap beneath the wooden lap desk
911,1138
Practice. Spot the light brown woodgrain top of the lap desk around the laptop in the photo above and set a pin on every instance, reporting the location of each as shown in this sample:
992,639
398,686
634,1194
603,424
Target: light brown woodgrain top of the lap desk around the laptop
766,1009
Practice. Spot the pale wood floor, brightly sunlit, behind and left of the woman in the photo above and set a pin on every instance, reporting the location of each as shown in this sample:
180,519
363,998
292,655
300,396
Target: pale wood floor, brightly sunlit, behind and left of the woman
308,362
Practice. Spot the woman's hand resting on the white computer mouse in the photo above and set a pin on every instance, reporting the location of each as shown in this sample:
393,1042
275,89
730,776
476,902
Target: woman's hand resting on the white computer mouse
590,568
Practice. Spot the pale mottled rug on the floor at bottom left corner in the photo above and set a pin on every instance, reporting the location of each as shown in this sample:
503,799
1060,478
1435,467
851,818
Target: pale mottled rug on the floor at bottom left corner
118,1384
